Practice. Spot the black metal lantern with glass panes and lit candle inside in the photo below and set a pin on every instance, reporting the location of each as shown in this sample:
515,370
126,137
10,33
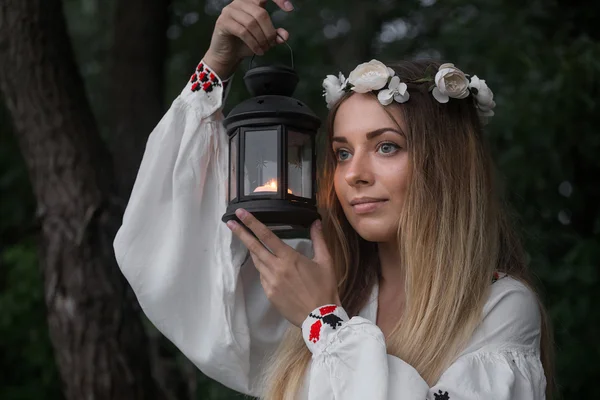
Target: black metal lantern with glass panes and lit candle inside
272,156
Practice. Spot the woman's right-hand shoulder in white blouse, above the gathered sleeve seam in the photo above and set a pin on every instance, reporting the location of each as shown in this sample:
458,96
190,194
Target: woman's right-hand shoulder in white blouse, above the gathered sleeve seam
511,318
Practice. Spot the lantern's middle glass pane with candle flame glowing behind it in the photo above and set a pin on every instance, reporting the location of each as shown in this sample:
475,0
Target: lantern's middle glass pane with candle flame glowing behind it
260,163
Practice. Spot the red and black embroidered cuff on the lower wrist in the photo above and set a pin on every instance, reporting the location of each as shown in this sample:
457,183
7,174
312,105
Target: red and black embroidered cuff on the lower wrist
321,323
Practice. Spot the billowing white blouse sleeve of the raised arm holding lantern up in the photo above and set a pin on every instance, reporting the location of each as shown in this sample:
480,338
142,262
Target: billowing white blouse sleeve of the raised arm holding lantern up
191,275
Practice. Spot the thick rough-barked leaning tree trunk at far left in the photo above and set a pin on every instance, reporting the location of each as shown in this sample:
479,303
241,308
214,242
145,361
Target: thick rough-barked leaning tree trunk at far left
98,338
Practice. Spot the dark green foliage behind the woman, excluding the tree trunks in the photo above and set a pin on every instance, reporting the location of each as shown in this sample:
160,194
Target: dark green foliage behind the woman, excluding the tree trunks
541,59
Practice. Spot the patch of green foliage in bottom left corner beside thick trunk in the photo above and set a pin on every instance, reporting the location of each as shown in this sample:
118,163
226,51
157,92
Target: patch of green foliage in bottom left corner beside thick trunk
27,363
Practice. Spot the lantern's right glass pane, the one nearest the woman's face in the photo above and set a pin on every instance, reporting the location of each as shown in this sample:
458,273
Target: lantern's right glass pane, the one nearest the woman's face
299,164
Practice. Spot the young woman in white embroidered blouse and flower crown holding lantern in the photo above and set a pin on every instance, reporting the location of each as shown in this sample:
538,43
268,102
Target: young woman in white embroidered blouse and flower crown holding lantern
415,286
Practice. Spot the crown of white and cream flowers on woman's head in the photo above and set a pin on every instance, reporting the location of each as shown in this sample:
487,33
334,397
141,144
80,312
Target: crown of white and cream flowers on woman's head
449,81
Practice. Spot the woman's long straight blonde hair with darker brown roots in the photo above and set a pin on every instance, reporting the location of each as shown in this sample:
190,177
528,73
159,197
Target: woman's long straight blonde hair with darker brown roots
455,232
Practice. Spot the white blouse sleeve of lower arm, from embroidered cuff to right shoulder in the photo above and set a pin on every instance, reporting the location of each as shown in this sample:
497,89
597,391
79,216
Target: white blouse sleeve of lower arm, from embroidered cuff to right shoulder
502,361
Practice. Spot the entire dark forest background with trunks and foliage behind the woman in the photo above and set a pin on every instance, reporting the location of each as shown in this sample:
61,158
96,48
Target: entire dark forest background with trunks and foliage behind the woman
83,83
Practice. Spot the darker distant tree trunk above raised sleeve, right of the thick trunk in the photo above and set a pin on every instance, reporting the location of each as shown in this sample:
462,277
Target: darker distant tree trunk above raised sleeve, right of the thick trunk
137,83
